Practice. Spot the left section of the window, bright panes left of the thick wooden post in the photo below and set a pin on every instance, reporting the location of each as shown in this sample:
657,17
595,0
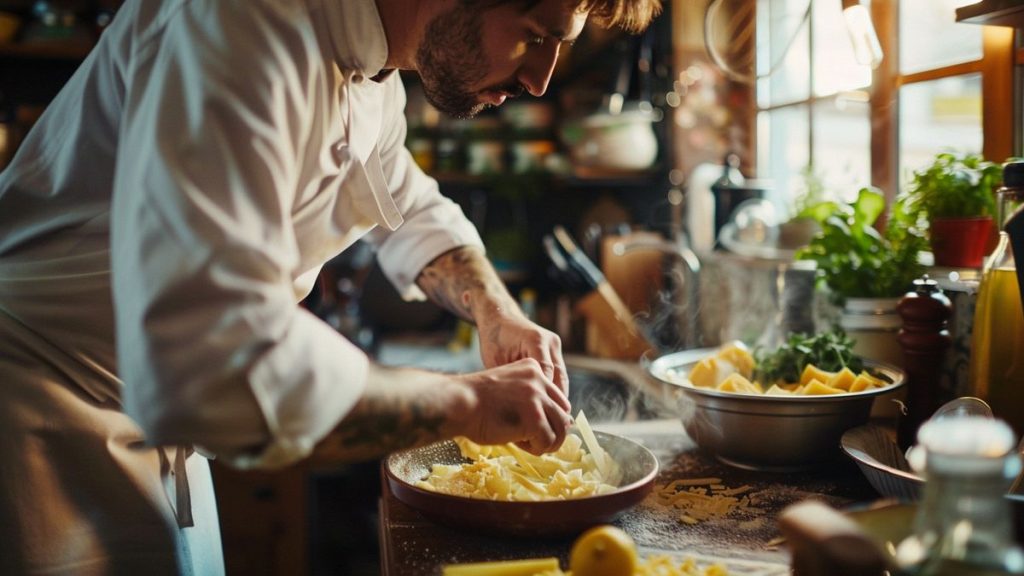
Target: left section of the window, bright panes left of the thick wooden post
813,104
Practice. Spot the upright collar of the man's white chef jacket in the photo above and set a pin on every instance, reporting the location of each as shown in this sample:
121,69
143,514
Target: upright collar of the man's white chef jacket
355,34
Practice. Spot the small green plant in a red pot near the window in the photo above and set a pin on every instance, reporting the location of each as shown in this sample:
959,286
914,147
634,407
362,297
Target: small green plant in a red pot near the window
953,201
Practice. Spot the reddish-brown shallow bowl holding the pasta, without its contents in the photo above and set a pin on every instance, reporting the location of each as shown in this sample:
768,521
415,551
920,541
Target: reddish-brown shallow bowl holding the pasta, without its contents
548,518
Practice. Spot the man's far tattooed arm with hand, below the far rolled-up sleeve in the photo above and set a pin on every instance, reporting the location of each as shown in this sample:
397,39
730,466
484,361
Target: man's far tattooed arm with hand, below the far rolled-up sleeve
464,282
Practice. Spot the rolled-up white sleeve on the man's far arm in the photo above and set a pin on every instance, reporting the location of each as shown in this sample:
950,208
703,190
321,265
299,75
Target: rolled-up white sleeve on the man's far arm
434,224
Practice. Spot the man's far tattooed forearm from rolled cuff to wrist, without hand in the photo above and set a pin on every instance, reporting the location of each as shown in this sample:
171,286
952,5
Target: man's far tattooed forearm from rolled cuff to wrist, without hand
464,282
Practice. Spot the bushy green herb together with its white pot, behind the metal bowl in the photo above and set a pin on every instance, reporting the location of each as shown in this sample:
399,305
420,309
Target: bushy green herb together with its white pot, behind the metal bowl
865,271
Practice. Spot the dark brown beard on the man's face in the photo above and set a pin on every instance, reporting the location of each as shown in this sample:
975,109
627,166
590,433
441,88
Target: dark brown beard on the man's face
451,60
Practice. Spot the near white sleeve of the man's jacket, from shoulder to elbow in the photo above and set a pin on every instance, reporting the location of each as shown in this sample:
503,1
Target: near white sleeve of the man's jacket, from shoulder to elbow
212,347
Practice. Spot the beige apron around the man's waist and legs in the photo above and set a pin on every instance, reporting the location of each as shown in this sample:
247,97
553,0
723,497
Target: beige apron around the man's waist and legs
79,492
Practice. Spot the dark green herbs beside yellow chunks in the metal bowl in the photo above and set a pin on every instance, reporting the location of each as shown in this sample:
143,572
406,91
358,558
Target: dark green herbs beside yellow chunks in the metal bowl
829,351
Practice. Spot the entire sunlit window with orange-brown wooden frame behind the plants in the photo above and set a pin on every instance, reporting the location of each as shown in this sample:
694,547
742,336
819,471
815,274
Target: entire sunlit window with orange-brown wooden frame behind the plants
942,86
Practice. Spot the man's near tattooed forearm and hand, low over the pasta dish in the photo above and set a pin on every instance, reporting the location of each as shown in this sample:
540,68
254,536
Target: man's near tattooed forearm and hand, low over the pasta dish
406,407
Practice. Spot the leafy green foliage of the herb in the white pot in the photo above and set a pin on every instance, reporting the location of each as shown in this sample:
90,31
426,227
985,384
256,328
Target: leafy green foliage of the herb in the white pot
855,260
